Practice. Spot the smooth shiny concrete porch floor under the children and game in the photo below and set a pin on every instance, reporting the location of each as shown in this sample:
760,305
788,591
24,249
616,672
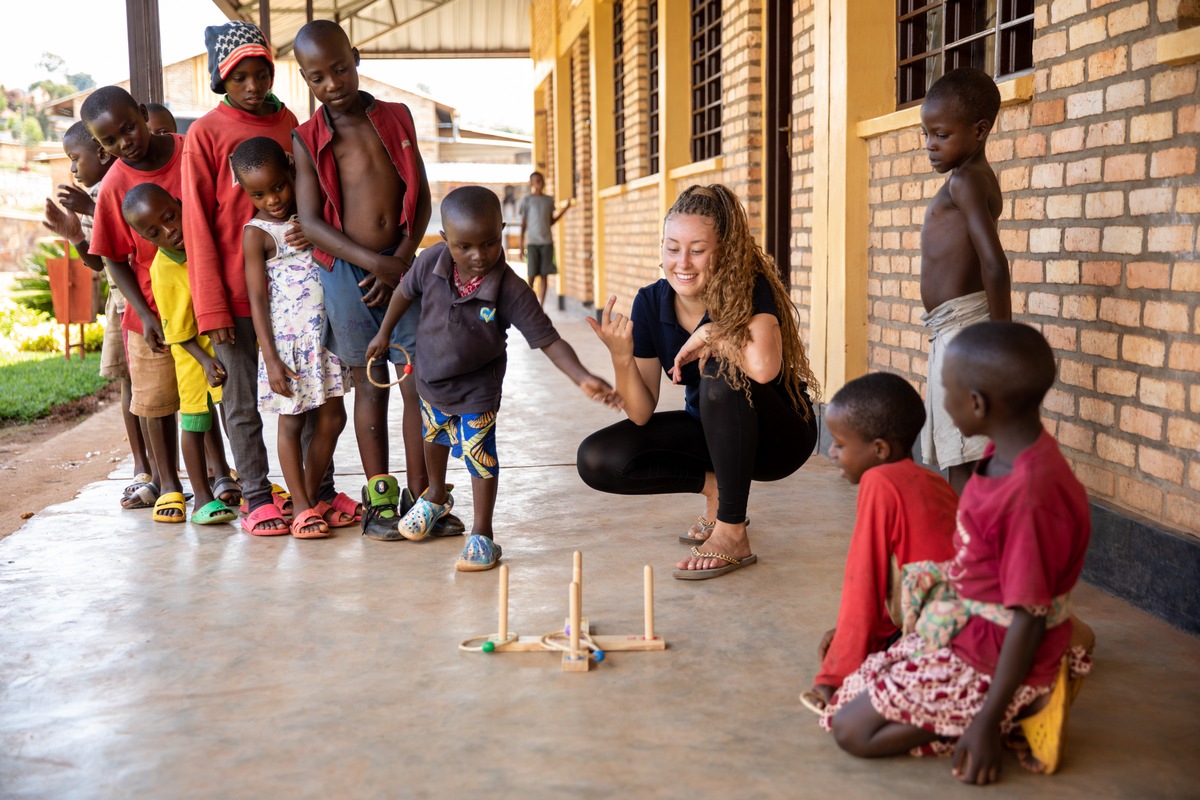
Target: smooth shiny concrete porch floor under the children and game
140,660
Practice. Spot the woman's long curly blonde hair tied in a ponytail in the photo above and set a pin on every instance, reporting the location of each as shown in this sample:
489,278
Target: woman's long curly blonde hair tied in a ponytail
729,294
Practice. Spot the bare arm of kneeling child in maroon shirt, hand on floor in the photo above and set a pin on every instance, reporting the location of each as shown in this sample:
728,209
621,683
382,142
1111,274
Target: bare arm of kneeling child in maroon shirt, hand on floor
979,754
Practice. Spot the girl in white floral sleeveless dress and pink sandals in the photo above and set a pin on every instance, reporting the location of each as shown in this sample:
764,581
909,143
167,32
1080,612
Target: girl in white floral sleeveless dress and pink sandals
298,378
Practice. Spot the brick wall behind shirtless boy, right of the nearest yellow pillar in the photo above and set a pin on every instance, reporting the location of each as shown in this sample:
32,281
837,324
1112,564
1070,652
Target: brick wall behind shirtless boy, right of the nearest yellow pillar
1101,208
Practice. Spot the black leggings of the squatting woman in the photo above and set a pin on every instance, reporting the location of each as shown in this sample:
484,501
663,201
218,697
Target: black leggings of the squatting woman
740,442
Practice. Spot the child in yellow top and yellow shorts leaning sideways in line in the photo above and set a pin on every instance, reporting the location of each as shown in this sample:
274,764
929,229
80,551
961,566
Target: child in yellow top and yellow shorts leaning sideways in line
159,219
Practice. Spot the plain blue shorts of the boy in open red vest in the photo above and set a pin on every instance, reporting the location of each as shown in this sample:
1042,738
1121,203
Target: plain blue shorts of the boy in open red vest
351,324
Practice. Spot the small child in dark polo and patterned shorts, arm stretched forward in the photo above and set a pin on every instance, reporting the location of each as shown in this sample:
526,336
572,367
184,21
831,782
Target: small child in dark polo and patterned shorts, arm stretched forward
470,298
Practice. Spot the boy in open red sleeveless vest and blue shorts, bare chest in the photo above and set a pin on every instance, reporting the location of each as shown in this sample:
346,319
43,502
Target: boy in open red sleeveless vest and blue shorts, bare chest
364,203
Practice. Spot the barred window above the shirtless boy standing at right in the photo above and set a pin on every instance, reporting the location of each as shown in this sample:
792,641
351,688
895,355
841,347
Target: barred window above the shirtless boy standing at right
938,37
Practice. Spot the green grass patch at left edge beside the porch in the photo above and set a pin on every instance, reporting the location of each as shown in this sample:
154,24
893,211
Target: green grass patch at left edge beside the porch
34,383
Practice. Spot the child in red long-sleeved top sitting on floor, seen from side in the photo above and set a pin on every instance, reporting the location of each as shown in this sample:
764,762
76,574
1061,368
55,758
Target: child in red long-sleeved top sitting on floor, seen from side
905,515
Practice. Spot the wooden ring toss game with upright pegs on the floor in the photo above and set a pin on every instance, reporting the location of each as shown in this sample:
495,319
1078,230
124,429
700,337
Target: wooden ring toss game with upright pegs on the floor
580,647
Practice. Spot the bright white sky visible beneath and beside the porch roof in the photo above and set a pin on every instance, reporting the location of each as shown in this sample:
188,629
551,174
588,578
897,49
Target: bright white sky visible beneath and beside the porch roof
505,99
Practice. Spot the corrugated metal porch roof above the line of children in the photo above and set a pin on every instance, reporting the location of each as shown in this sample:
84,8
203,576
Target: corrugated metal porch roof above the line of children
392,29
